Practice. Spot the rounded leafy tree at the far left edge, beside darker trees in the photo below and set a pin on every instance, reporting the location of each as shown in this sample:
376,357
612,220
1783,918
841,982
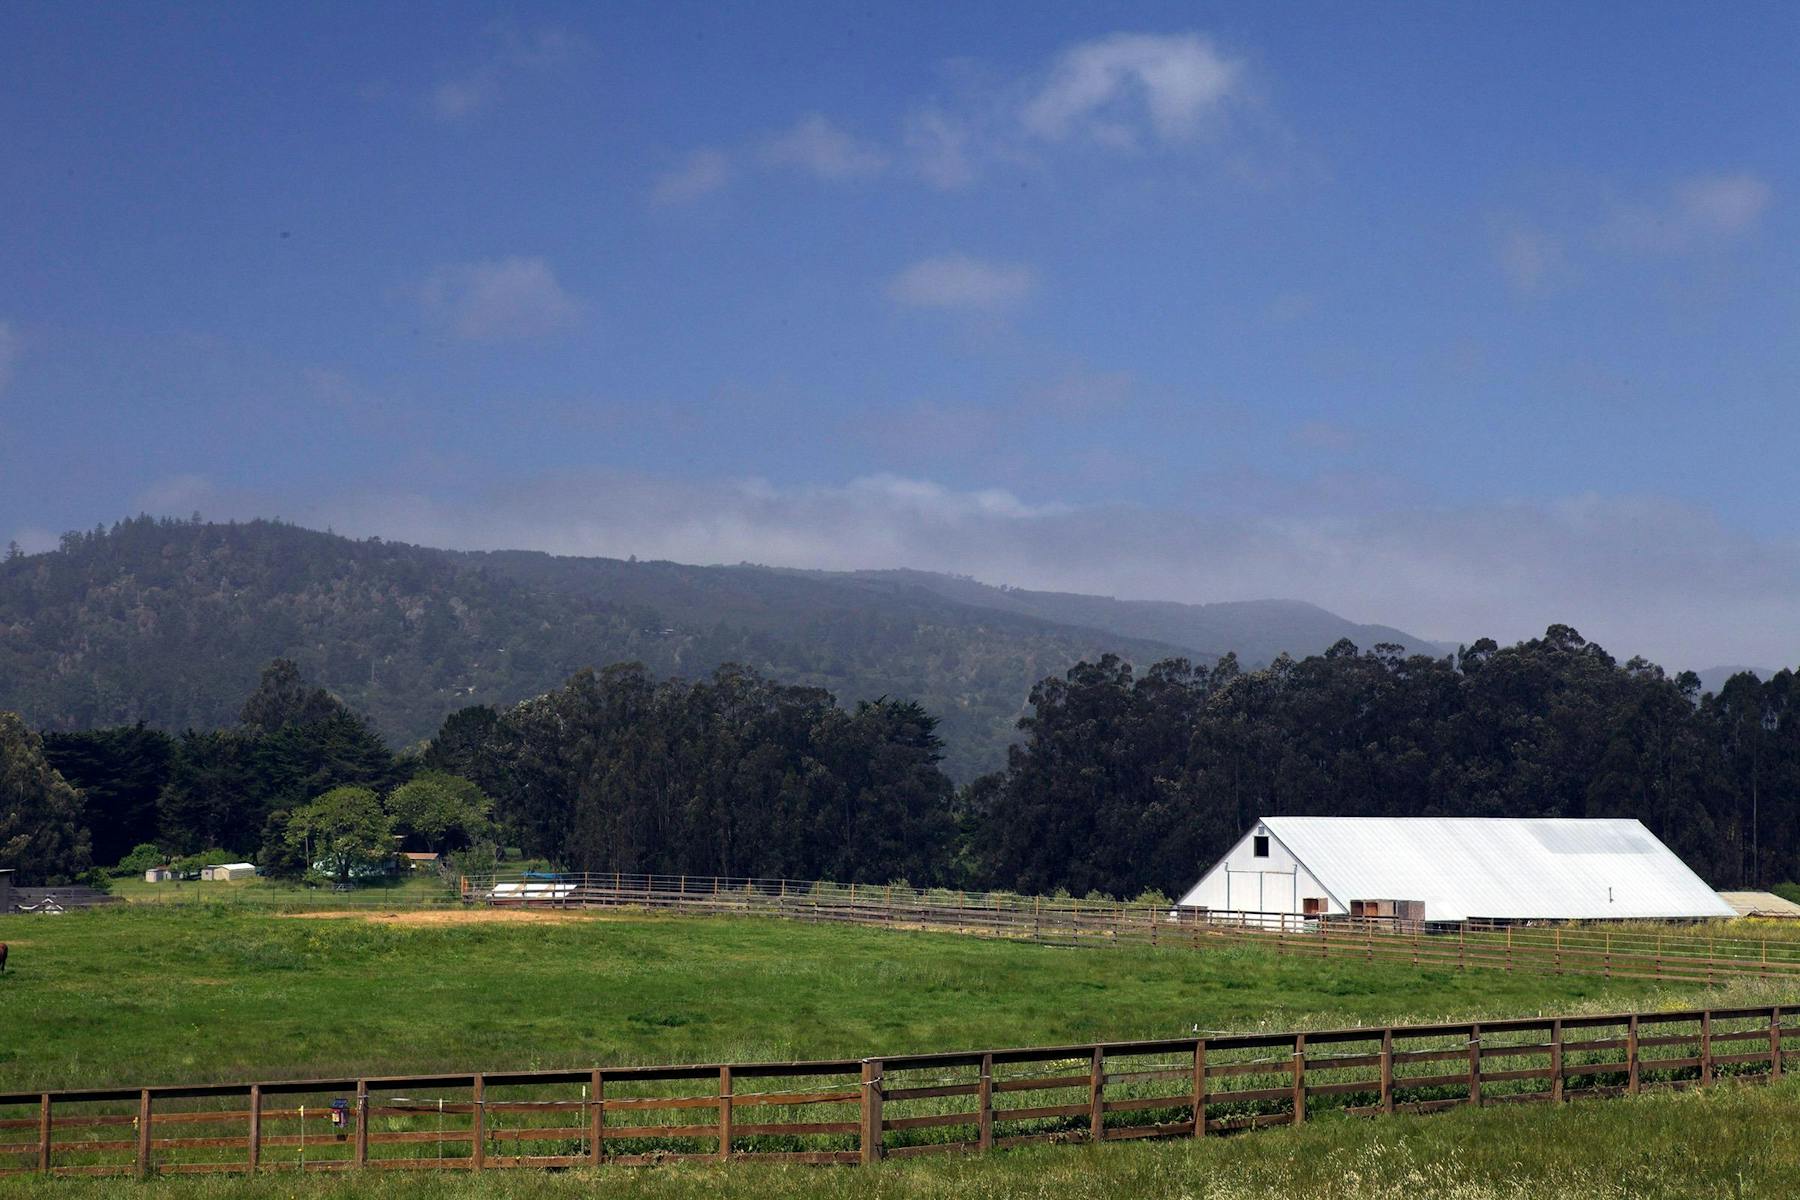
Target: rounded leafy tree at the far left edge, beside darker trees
42,836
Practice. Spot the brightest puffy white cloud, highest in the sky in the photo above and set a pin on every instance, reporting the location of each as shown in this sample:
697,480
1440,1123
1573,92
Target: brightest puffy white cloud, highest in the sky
1097,89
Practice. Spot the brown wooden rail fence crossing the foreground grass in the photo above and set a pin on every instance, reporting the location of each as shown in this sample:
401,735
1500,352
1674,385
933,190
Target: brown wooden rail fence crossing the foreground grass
859,1111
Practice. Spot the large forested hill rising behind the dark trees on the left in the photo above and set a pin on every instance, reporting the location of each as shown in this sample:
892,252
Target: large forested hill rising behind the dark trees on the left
172,622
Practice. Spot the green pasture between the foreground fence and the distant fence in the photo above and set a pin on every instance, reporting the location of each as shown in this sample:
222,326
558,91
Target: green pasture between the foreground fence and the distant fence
224,992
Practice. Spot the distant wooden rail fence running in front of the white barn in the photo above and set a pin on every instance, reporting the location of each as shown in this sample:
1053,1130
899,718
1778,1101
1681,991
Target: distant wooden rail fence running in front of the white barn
1619,951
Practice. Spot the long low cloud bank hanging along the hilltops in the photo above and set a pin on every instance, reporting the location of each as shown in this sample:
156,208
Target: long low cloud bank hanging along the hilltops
1639,575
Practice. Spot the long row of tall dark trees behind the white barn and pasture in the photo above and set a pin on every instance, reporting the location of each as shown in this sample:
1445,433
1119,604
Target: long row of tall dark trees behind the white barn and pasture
1122,782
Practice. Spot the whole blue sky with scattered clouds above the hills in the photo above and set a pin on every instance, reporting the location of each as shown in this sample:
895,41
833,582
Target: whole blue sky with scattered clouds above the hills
1457,318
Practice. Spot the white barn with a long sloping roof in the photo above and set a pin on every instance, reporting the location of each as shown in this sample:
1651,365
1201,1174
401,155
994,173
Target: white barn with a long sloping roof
1461,868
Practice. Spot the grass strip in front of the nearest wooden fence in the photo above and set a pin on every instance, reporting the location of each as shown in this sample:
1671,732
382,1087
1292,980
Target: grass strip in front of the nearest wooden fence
1729,1143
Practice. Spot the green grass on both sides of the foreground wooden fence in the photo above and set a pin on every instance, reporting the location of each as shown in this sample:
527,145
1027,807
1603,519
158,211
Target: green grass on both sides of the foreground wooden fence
228,989
